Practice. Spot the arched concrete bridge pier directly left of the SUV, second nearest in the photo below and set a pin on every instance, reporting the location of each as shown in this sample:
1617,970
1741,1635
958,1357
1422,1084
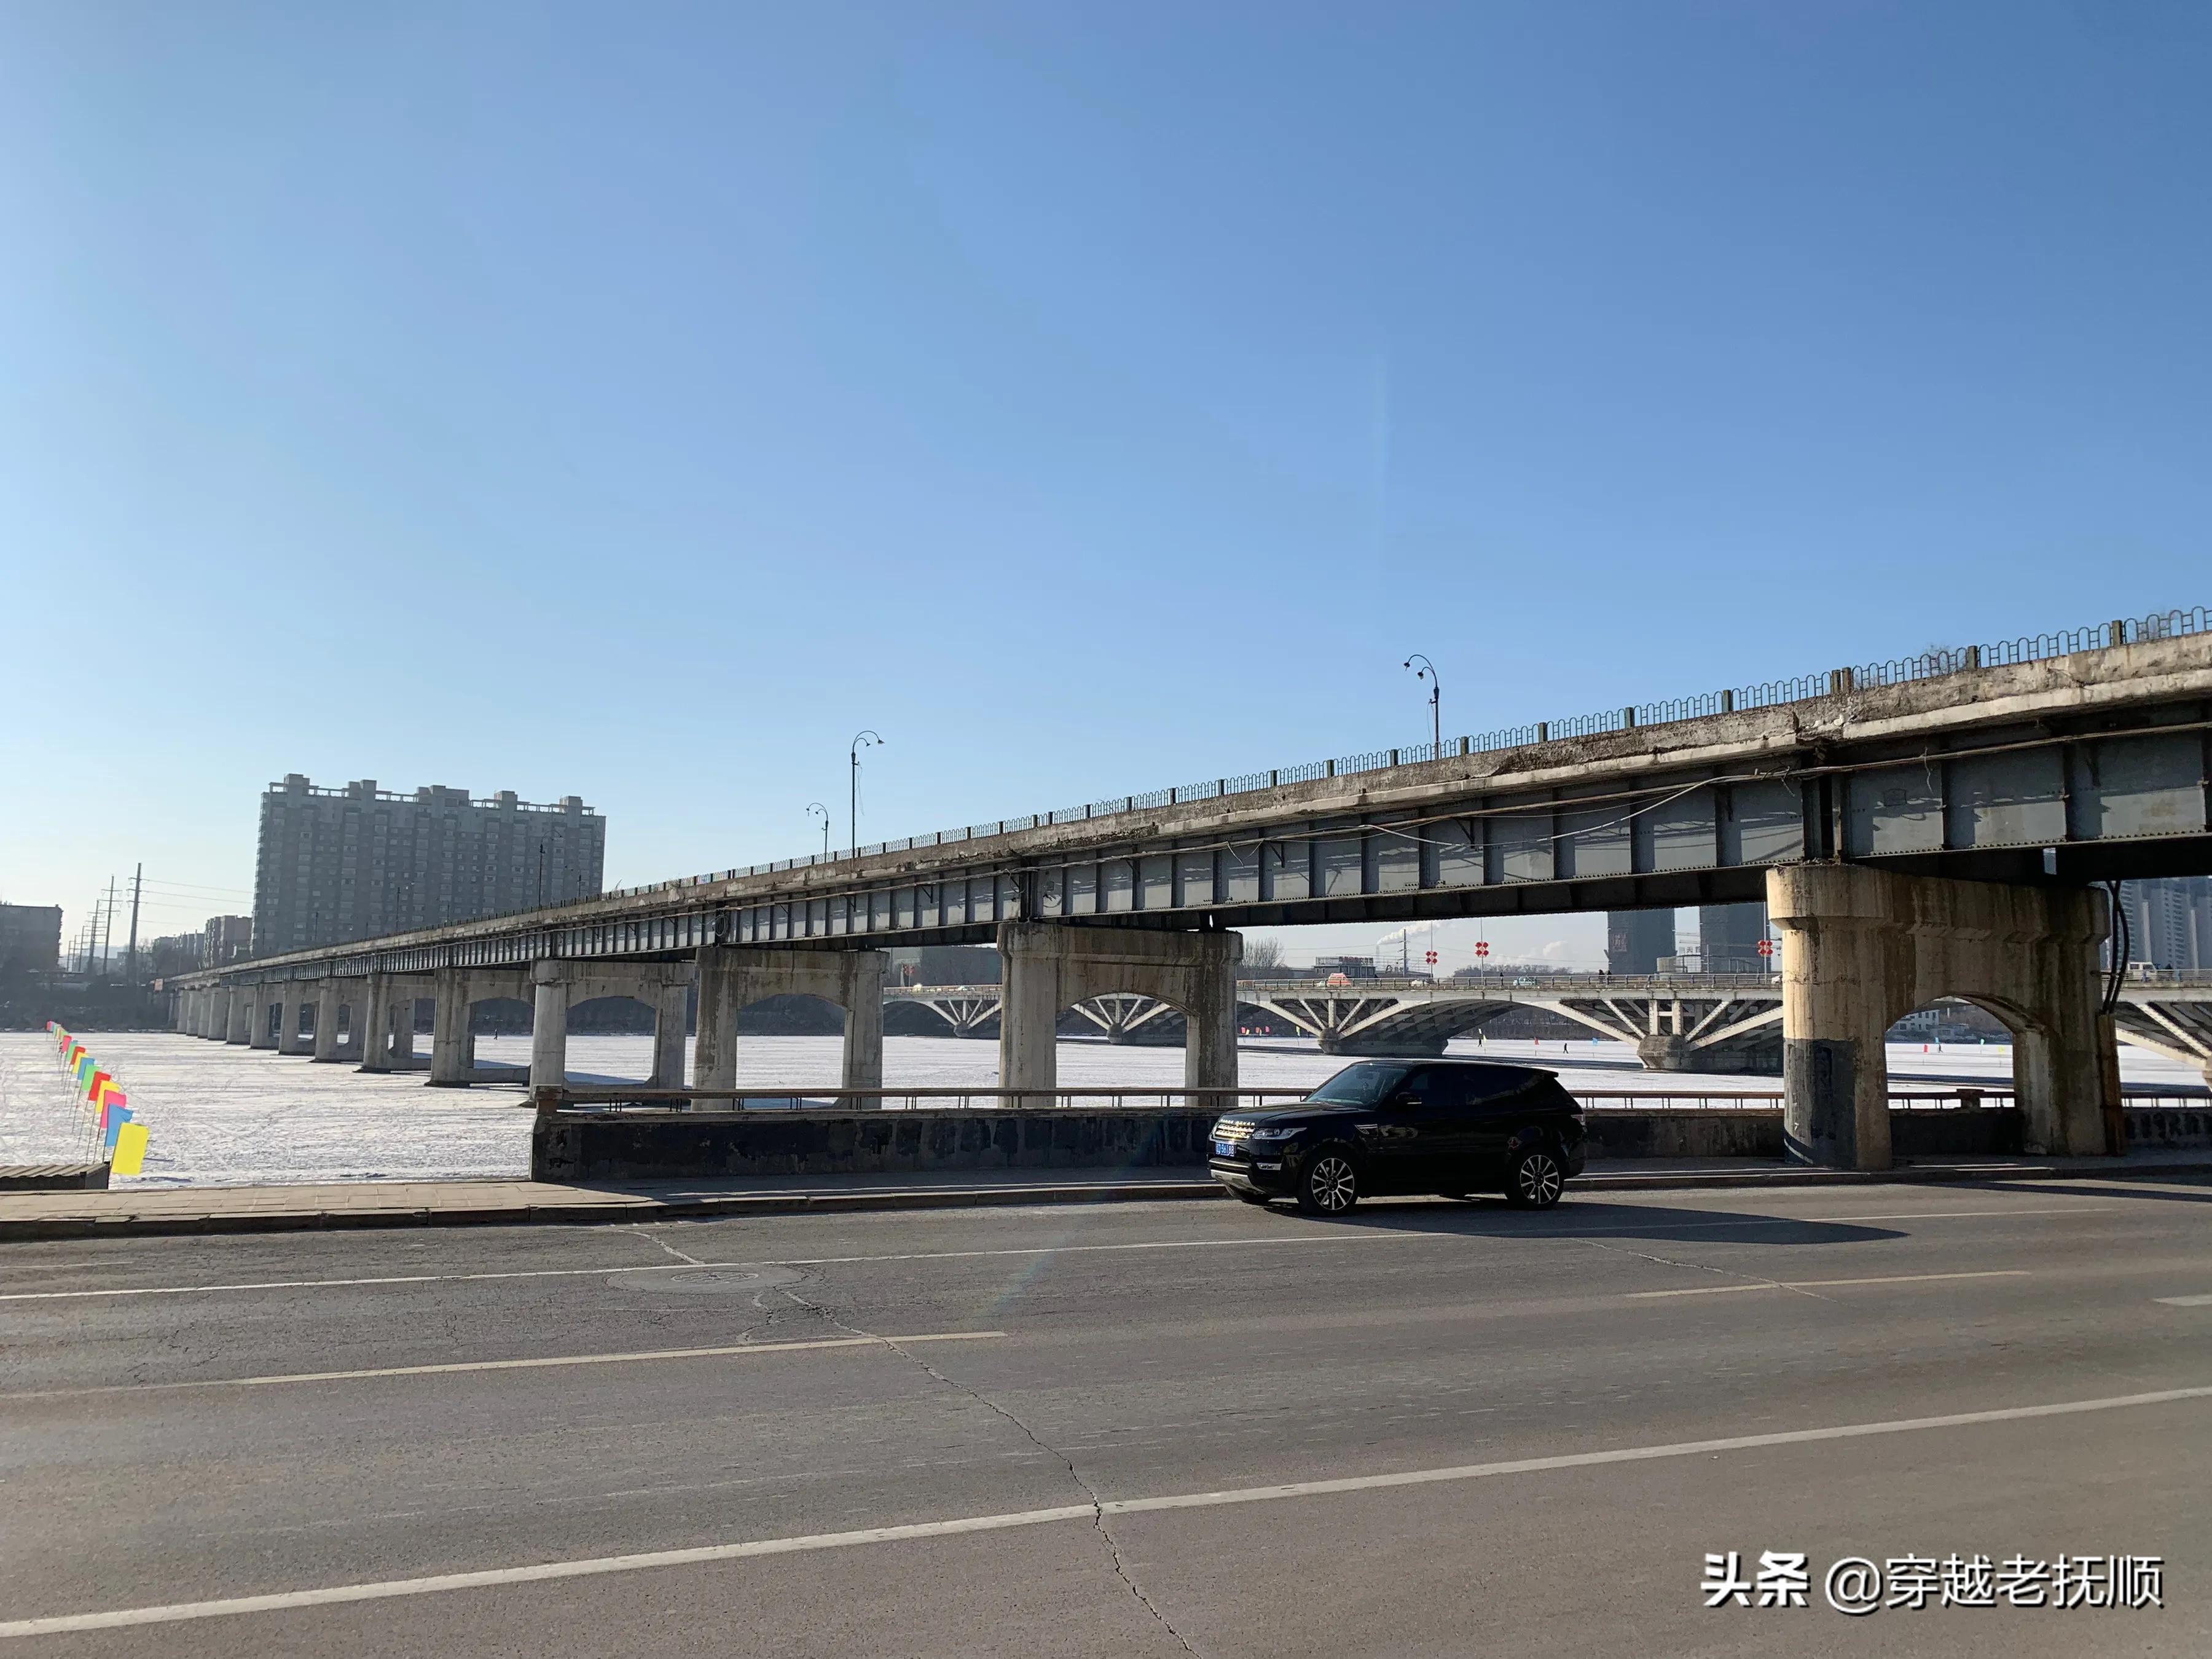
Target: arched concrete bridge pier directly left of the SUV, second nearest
1054,966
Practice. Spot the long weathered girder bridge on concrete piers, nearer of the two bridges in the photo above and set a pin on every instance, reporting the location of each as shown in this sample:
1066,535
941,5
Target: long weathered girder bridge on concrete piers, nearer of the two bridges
1919,831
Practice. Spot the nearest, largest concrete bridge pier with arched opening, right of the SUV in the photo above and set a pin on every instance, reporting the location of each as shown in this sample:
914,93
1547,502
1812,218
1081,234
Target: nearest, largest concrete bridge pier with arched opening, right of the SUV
1864,948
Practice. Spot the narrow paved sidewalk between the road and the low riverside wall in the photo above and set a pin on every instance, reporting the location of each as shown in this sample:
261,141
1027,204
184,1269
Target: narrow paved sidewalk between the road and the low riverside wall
457,1204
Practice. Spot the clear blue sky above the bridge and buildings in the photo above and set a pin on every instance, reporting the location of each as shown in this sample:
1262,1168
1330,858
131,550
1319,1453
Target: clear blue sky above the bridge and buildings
636,401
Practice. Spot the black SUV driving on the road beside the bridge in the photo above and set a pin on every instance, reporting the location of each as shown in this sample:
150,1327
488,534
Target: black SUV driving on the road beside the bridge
1448,1127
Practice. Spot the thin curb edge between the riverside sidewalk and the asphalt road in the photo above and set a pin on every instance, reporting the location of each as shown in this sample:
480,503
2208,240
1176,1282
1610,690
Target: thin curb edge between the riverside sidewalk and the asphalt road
709,1209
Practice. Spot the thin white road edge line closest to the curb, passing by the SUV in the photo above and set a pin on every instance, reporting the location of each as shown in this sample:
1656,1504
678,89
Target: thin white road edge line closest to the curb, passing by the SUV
1364,1235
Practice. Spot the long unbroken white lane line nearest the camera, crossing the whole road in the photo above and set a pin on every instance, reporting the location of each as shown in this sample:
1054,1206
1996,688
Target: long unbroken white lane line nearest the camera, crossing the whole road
592,1567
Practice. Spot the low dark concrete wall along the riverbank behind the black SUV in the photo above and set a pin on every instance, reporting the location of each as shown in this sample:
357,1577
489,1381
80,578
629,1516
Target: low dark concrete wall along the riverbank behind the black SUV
718,1145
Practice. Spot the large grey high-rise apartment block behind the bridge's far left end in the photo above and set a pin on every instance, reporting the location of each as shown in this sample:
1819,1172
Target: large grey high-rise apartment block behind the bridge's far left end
362,862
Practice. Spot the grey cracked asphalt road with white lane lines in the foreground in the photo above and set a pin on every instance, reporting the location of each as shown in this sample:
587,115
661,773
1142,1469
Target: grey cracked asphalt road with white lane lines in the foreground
1100,1430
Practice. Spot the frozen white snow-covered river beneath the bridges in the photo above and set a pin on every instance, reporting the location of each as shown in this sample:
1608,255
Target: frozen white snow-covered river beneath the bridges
222,1116
